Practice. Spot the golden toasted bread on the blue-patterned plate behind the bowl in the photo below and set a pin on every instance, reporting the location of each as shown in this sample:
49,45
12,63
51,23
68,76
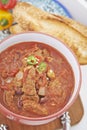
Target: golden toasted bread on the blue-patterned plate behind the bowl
31,18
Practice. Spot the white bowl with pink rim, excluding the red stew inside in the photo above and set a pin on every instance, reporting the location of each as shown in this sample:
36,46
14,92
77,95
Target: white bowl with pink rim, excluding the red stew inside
46,39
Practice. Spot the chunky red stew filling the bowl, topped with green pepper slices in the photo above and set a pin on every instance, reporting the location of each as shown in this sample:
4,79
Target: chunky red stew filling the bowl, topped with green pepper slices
35,79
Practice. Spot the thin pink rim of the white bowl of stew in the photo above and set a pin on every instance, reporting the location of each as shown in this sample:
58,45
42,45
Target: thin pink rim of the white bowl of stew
7,112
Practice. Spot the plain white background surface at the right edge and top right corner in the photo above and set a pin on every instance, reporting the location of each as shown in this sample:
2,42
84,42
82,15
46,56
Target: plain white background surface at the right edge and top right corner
78,9
